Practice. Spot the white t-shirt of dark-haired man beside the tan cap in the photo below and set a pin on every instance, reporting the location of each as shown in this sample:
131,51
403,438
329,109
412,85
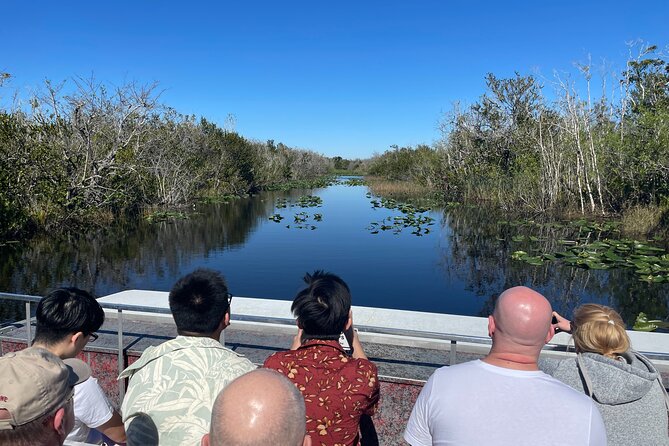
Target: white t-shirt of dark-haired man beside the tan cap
91,409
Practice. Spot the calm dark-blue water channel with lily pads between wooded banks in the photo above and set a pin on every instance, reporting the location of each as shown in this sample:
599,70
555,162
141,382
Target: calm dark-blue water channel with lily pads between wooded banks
458,267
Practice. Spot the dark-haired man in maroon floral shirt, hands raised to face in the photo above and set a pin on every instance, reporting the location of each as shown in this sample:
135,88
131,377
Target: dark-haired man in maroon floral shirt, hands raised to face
338,389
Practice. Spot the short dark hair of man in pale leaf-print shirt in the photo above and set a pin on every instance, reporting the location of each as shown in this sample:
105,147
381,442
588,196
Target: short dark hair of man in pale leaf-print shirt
199,301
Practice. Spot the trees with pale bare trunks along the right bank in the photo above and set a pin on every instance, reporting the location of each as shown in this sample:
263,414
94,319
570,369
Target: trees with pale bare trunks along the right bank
518,150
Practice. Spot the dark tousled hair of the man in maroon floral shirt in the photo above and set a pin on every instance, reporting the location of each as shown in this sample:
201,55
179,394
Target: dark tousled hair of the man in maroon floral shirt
322,308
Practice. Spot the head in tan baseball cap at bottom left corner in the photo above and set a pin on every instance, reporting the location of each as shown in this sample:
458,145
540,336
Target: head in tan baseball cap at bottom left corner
36,393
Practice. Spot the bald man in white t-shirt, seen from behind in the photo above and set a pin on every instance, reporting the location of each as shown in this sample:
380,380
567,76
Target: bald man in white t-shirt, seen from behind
504,399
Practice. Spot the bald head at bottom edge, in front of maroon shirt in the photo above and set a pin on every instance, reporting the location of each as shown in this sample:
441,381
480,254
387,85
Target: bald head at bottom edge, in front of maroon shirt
260,408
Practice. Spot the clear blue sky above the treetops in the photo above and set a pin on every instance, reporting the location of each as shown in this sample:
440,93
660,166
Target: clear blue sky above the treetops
345,78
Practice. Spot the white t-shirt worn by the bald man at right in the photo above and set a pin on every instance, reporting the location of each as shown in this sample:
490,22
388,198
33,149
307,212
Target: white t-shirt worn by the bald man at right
476,404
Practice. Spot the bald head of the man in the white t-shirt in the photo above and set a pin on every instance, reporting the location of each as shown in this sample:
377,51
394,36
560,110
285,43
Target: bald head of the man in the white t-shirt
522,317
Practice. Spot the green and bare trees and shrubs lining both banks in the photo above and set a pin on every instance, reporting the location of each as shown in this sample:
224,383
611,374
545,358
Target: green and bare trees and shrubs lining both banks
91,153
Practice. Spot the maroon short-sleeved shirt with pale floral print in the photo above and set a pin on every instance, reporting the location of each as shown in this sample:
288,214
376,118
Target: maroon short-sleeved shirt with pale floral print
337,389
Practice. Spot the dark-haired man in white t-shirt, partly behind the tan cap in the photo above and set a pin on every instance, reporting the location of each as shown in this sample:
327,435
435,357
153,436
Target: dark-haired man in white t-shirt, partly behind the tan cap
67,319
